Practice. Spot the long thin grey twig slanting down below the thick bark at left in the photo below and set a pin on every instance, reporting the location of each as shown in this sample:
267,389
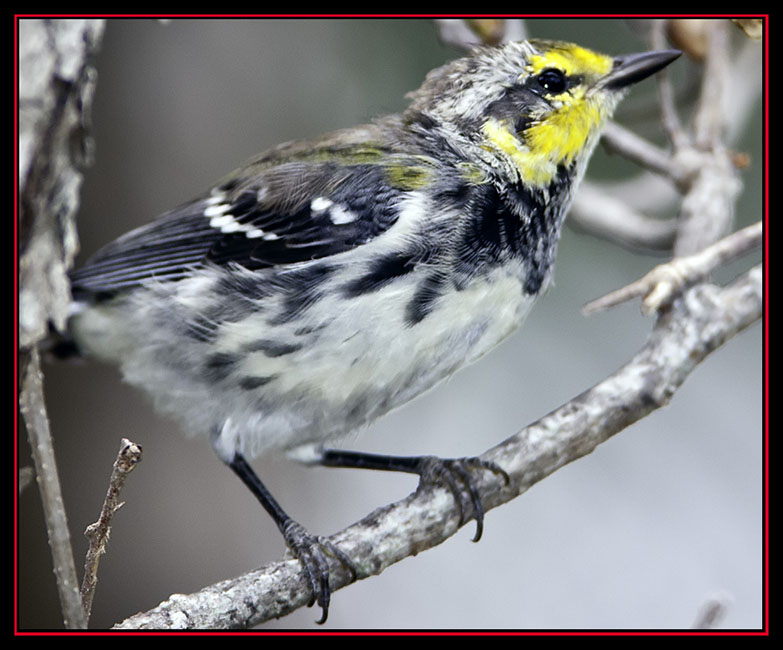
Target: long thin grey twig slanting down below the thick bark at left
31,403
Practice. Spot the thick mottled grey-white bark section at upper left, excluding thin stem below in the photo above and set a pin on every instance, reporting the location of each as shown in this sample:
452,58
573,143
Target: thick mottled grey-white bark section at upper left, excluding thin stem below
56,86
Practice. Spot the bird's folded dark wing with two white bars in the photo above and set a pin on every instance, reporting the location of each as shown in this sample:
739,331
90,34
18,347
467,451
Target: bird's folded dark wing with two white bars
290,212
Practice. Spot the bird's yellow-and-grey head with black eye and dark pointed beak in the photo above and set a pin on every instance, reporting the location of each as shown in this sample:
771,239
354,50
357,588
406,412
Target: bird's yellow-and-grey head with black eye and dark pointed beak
530,107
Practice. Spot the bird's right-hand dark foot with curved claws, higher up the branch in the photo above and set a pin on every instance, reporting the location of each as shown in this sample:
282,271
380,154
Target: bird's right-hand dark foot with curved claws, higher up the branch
457,473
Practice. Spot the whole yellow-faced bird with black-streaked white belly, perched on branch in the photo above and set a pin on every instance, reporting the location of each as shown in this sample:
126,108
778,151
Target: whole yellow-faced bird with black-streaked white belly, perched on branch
328,281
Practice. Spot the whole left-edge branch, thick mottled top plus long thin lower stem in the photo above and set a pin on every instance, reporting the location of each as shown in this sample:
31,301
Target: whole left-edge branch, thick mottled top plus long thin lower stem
56,83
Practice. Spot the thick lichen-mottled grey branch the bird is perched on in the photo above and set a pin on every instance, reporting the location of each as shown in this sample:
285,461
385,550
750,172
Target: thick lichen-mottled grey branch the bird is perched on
702,320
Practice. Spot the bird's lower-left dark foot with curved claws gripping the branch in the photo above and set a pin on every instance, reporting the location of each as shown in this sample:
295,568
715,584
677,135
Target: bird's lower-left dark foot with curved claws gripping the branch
311,552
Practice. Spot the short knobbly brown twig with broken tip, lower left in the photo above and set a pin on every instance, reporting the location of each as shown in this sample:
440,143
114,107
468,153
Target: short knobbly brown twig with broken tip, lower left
98,533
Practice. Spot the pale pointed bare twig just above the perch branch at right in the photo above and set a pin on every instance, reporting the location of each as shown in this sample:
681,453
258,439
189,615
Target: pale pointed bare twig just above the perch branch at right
667,280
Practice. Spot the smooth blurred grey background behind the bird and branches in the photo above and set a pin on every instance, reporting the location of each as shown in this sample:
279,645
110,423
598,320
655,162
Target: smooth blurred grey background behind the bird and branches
640,534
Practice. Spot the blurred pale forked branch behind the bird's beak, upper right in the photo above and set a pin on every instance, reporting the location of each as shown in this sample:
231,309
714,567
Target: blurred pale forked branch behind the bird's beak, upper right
701,167
